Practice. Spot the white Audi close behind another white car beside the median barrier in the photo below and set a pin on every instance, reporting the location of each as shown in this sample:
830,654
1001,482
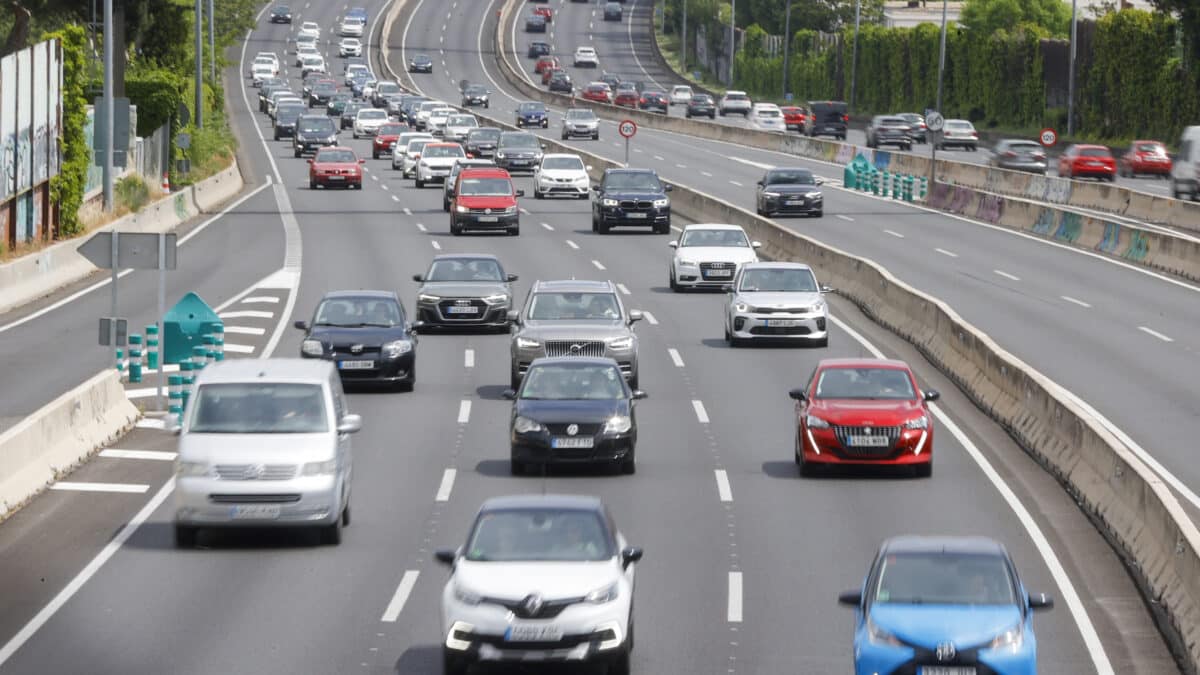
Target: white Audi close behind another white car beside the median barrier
710,256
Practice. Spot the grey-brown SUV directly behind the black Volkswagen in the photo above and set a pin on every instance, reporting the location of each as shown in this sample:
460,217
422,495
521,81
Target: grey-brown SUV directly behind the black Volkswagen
574,319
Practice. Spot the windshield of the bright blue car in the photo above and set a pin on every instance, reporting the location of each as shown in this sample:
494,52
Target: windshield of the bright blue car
944,578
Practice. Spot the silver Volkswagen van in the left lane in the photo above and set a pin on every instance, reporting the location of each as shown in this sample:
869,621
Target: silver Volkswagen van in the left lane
265,444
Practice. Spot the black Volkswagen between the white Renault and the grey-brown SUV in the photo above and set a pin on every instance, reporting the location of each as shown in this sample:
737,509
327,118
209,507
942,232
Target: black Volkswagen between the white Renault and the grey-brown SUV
573,410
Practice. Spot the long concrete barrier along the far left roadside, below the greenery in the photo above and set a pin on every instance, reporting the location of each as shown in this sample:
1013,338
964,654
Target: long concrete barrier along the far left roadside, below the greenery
39,274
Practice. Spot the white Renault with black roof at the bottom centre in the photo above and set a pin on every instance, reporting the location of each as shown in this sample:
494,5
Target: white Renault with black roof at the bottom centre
549,571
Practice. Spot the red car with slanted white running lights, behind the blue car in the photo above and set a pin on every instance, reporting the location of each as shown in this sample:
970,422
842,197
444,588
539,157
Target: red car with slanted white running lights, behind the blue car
863,413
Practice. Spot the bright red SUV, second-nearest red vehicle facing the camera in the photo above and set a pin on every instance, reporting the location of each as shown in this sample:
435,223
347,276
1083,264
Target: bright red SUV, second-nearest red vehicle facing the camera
484,199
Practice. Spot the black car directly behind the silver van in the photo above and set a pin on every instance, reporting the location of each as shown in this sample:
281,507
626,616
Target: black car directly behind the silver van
367,334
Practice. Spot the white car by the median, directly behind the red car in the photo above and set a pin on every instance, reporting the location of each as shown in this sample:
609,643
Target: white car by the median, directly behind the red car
777,301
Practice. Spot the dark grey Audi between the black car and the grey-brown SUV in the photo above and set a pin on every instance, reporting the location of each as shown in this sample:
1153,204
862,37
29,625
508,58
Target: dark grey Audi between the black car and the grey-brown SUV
465,291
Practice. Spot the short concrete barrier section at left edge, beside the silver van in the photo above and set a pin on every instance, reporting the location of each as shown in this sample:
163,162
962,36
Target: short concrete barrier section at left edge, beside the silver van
61,435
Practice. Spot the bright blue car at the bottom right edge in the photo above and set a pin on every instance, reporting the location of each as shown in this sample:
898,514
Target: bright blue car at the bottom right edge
944,606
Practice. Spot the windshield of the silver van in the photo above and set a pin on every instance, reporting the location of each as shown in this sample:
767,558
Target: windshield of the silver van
260,408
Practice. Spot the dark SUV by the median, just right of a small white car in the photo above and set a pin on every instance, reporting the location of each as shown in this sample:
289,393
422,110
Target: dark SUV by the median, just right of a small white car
634,198
